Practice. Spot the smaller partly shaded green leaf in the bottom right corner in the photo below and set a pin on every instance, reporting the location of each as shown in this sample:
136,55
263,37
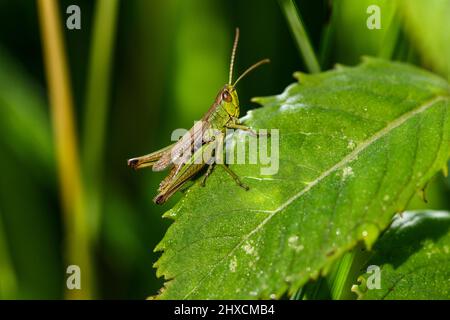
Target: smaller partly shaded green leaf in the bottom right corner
413,257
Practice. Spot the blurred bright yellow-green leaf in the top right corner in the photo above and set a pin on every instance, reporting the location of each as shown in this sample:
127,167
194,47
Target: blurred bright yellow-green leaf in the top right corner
428,25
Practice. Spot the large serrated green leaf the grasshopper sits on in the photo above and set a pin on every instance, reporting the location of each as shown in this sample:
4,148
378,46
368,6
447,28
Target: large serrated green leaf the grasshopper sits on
355,145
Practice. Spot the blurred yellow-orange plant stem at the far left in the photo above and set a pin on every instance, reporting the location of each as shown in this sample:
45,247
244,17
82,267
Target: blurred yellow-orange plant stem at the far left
71,186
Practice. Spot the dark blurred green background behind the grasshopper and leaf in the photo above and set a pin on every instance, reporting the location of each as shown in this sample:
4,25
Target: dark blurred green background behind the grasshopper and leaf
168,60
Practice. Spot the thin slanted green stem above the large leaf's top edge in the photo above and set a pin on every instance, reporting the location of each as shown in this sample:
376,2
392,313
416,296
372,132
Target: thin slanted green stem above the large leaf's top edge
295,23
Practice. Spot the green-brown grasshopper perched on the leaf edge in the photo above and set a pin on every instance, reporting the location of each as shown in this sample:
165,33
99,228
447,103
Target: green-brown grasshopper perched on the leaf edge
222,115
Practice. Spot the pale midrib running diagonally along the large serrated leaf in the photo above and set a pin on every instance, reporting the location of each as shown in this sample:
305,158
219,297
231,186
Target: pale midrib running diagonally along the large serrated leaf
347,159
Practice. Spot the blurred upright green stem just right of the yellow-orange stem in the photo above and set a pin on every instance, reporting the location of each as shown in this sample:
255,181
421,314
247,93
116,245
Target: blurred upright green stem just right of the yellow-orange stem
96,104
